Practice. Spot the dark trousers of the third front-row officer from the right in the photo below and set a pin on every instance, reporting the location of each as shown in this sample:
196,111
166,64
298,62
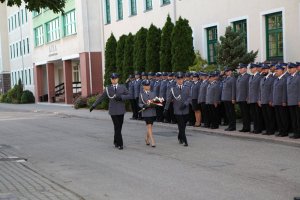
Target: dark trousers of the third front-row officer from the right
268,114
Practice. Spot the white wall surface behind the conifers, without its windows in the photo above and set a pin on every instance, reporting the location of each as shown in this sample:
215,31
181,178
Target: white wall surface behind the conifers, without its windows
206,13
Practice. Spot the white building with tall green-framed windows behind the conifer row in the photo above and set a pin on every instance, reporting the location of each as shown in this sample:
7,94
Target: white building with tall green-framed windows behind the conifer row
272,26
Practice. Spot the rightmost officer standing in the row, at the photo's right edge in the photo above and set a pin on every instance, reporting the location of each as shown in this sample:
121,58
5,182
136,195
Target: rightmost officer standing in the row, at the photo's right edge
293,99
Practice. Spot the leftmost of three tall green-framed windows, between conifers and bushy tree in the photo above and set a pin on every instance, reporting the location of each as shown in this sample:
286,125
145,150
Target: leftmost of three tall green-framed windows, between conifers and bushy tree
212,40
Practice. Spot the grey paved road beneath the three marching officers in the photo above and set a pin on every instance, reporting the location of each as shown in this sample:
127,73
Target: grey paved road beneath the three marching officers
78,153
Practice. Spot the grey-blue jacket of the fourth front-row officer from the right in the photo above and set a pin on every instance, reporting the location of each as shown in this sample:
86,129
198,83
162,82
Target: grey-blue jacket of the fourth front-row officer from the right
254,84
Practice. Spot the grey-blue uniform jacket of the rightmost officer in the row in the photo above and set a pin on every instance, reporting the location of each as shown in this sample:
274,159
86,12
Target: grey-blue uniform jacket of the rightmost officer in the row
293,90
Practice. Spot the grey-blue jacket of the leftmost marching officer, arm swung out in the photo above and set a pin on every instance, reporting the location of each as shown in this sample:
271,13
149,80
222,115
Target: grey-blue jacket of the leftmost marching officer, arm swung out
115,107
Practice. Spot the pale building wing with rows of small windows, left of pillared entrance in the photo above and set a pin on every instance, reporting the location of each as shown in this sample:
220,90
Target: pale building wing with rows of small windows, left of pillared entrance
20,46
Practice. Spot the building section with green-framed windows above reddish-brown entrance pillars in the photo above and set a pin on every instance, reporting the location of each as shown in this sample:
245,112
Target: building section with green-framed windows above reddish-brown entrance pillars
67,53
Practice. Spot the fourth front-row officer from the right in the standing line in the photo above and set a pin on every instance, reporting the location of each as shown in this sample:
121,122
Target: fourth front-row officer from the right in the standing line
253,97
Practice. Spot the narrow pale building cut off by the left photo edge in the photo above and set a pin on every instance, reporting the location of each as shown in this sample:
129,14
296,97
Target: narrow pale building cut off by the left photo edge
4,54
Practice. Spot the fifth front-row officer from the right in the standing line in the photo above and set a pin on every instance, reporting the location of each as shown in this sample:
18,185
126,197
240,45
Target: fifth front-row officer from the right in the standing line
242,88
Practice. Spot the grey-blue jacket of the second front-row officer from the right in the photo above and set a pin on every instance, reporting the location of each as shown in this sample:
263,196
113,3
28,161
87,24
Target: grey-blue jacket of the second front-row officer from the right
279,91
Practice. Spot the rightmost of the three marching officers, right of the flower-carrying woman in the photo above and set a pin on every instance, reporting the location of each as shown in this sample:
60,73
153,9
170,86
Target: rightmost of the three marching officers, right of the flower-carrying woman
181,98
